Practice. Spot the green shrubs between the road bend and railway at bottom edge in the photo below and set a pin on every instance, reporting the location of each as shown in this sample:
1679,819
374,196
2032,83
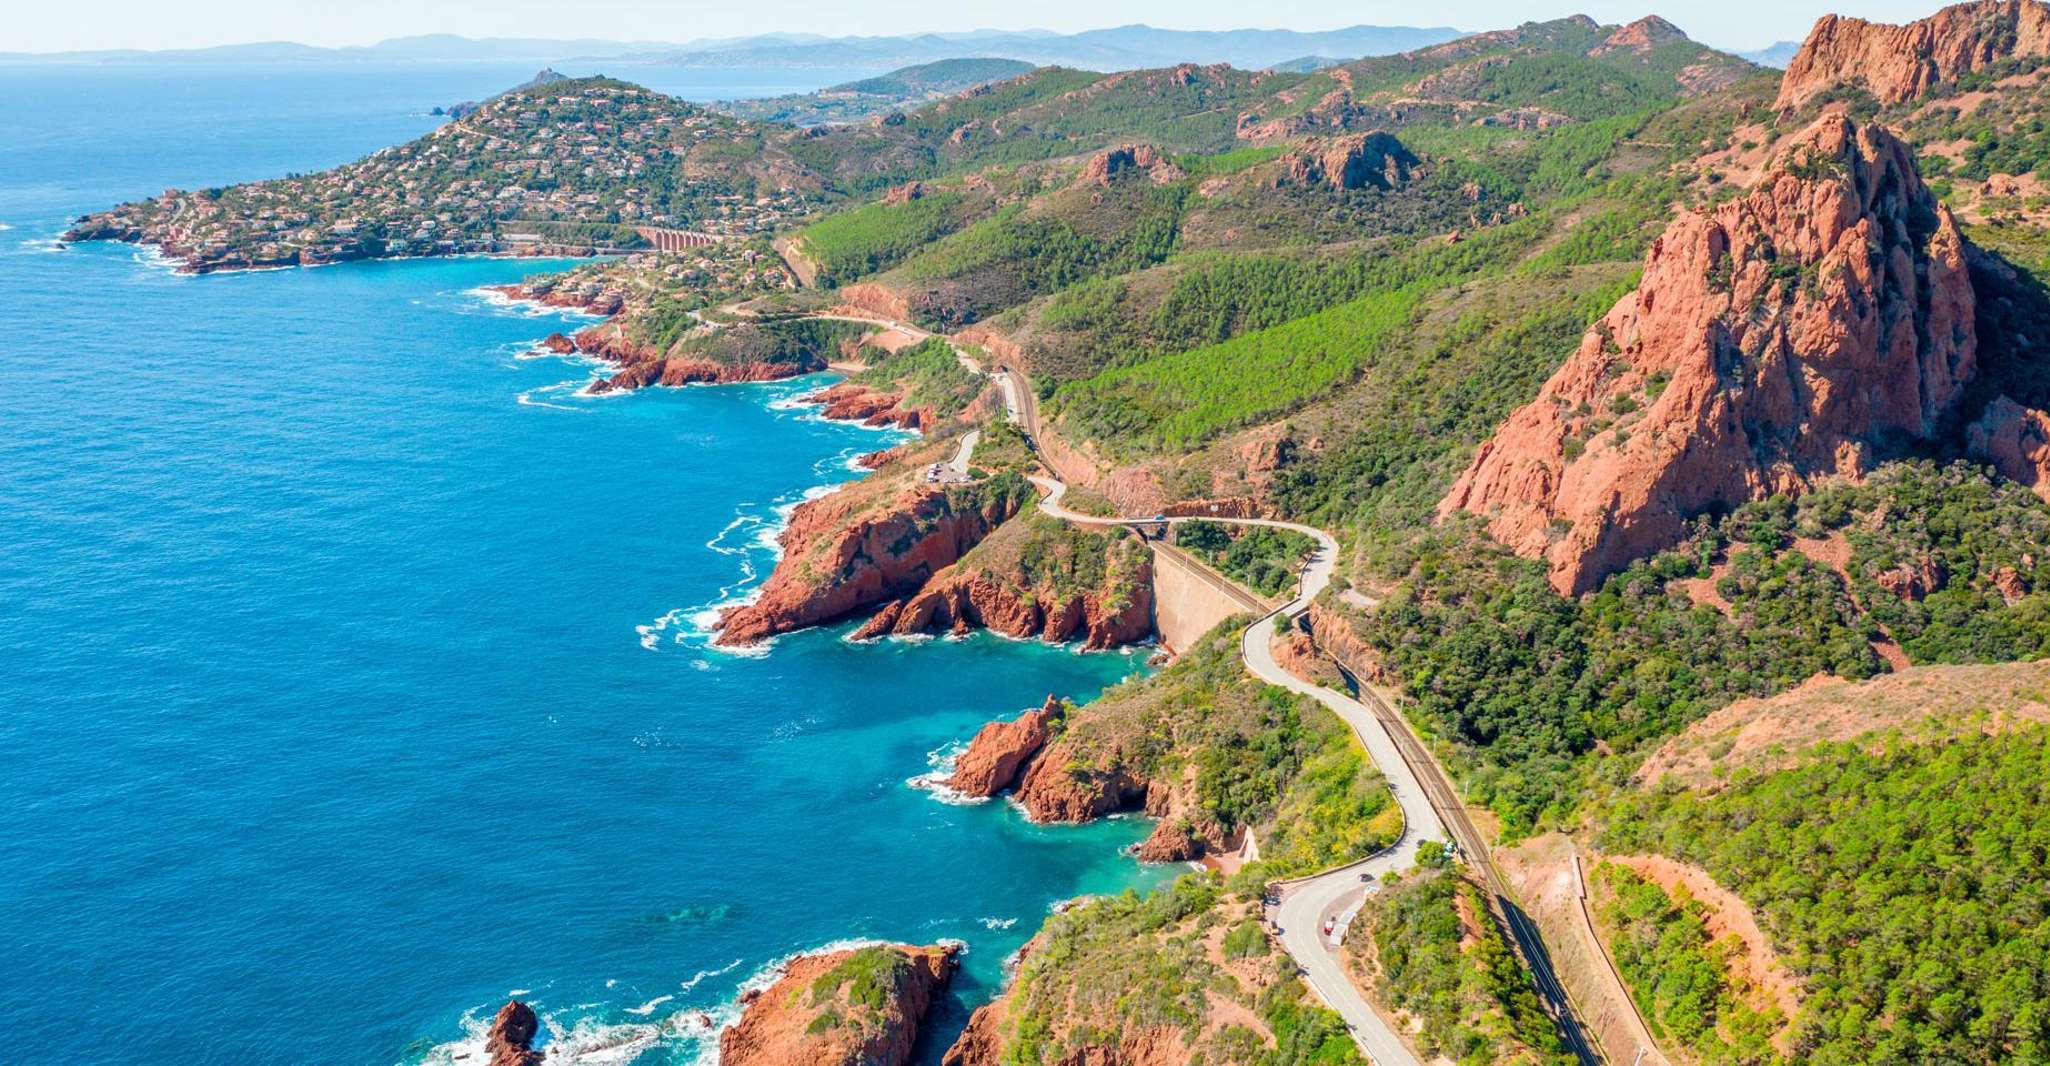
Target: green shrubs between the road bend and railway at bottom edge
1440,956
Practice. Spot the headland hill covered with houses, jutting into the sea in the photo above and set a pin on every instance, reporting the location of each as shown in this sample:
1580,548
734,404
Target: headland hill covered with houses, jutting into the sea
563,167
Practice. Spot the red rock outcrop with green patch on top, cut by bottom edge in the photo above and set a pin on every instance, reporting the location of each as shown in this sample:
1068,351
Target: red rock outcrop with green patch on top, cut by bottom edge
807,1018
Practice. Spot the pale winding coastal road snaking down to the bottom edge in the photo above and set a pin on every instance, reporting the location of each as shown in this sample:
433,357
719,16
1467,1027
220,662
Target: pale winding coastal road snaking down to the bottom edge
1309,901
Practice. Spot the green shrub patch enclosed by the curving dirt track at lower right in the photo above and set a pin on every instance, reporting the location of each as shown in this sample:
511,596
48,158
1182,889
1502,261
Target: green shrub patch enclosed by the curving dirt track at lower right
1680,975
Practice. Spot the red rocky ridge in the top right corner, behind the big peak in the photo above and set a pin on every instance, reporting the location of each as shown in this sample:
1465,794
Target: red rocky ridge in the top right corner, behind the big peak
1899,65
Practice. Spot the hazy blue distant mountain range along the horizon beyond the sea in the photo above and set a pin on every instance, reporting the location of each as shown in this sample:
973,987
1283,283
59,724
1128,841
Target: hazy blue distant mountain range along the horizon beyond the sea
1120,48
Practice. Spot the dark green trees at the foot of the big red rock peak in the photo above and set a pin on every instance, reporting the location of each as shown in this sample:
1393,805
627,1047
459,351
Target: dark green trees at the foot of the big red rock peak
1522,684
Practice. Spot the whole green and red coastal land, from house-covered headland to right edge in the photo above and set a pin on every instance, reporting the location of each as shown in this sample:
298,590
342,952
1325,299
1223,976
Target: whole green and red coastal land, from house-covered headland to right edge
1684,427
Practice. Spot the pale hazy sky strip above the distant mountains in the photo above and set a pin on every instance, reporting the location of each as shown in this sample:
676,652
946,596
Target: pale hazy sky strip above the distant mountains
42,26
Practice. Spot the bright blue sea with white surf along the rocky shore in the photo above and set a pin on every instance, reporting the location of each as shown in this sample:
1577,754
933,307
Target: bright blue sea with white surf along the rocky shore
352,665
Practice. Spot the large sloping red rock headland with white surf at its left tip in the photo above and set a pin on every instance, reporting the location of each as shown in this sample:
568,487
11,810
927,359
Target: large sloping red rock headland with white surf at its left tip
837,563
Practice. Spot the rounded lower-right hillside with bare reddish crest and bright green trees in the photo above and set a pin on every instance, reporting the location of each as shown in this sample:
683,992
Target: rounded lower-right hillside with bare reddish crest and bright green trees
1867,852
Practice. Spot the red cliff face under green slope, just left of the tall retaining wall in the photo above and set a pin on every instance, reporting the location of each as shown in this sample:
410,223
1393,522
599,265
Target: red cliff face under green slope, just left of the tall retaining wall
958,602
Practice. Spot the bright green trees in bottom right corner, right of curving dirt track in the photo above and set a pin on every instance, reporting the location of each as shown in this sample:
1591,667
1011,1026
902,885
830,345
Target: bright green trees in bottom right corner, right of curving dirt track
1903,883
